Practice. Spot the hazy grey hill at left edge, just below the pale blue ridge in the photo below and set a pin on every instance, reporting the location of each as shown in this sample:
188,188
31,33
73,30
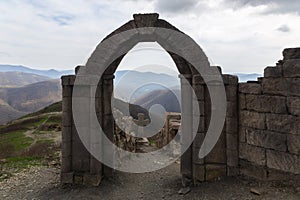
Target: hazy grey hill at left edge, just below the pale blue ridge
16,79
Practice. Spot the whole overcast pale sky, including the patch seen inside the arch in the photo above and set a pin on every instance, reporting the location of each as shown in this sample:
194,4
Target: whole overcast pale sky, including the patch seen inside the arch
238,35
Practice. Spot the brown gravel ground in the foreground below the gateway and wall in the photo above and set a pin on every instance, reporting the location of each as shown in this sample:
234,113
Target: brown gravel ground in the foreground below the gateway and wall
43,183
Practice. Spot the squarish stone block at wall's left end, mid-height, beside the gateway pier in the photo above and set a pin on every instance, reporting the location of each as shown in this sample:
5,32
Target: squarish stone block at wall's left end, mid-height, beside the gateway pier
252,119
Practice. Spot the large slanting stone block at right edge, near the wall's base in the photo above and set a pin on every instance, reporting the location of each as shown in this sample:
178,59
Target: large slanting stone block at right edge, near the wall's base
283,161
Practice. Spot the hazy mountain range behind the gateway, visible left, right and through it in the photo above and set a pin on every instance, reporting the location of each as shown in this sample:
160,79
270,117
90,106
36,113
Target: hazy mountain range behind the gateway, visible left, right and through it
24,90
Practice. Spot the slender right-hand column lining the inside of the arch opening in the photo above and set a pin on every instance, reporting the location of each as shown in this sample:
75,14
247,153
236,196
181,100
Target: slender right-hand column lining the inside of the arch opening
186,128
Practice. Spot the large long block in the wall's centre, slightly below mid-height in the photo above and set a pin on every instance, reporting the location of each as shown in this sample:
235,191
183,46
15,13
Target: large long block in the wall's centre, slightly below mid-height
267,139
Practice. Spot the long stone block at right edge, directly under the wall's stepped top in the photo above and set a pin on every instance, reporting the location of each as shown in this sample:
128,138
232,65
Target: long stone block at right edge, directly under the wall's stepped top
281,86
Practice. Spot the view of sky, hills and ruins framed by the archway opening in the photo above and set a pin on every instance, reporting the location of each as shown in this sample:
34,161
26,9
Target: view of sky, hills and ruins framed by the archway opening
147,84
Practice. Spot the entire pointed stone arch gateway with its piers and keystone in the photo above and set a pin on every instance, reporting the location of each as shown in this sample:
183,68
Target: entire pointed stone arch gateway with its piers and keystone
80,164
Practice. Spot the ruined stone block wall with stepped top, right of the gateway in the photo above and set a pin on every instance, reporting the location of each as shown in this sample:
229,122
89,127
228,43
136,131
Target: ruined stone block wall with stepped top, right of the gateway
269,120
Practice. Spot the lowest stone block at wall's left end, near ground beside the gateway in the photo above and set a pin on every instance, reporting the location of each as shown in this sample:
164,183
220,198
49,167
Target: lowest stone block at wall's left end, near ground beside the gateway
253,171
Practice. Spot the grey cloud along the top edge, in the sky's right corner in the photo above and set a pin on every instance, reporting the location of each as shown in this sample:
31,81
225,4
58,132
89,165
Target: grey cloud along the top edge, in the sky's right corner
274,6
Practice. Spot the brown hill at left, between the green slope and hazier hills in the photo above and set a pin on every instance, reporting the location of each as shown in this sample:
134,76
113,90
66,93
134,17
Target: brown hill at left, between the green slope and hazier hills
18,101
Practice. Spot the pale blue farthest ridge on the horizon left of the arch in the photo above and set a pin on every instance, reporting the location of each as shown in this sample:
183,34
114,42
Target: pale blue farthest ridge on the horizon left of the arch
52,73
